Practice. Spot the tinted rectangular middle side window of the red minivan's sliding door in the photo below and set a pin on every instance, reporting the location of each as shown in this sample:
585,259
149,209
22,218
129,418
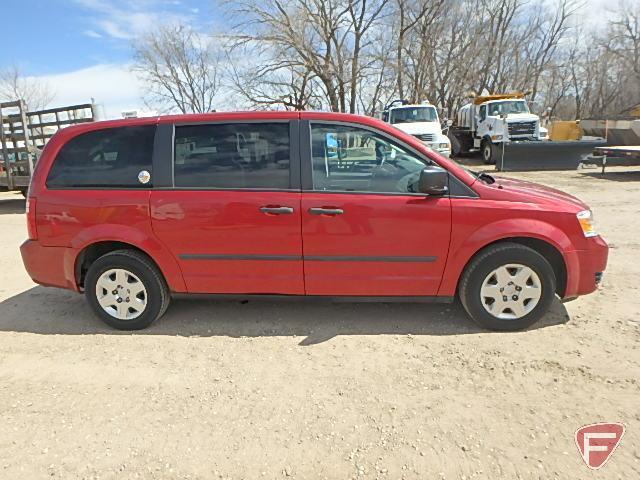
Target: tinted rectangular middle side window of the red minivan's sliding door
233,155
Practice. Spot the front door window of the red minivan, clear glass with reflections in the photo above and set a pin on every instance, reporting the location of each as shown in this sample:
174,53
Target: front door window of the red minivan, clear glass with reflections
355,159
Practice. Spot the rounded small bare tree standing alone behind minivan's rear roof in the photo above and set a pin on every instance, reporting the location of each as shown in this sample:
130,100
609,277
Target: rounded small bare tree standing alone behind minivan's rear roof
180,69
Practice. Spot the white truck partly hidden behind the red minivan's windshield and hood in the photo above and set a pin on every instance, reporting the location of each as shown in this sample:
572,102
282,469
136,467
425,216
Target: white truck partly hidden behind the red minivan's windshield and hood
421,121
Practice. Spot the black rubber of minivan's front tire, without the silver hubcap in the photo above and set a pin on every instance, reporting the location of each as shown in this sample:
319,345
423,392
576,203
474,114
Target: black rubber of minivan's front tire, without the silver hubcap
491,258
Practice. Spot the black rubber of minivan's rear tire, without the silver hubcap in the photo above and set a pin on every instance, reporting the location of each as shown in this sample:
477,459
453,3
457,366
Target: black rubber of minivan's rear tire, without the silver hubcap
158,295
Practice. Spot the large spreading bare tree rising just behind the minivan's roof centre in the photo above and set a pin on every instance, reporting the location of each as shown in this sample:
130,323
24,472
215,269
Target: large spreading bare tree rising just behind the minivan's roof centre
329,40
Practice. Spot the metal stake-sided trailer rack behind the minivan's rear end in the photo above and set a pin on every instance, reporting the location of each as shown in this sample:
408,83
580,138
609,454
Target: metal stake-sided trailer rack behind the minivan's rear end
23,134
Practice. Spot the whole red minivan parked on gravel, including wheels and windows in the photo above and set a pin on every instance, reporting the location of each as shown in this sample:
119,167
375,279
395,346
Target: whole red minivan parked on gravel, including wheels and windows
295,203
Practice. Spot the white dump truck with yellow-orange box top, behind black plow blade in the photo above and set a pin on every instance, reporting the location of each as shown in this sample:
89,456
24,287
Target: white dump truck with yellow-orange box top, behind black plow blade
489,121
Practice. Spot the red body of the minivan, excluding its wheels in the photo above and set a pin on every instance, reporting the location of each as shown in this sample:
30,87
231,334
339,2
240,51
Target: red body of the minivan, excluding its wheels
303,239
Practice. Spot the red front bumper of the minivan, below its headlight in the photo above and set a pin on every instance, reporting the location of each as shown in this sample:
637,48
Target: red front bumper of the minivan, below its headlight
586,268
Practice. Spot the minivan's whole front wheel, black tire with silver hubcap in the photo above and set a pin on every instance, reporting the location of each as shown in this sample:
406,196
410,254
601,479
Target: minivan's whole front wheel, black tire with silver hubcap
507,286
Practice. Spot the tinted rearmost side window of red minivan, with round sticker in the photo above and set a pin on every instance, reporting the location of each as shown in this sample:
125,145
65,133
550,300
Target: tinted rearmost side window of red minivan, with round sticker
110,158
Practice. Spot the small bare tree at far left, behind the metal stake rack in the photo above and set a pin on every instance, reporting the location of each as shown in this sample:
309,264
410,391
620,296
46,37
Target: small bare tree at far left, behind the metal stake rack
14,85
